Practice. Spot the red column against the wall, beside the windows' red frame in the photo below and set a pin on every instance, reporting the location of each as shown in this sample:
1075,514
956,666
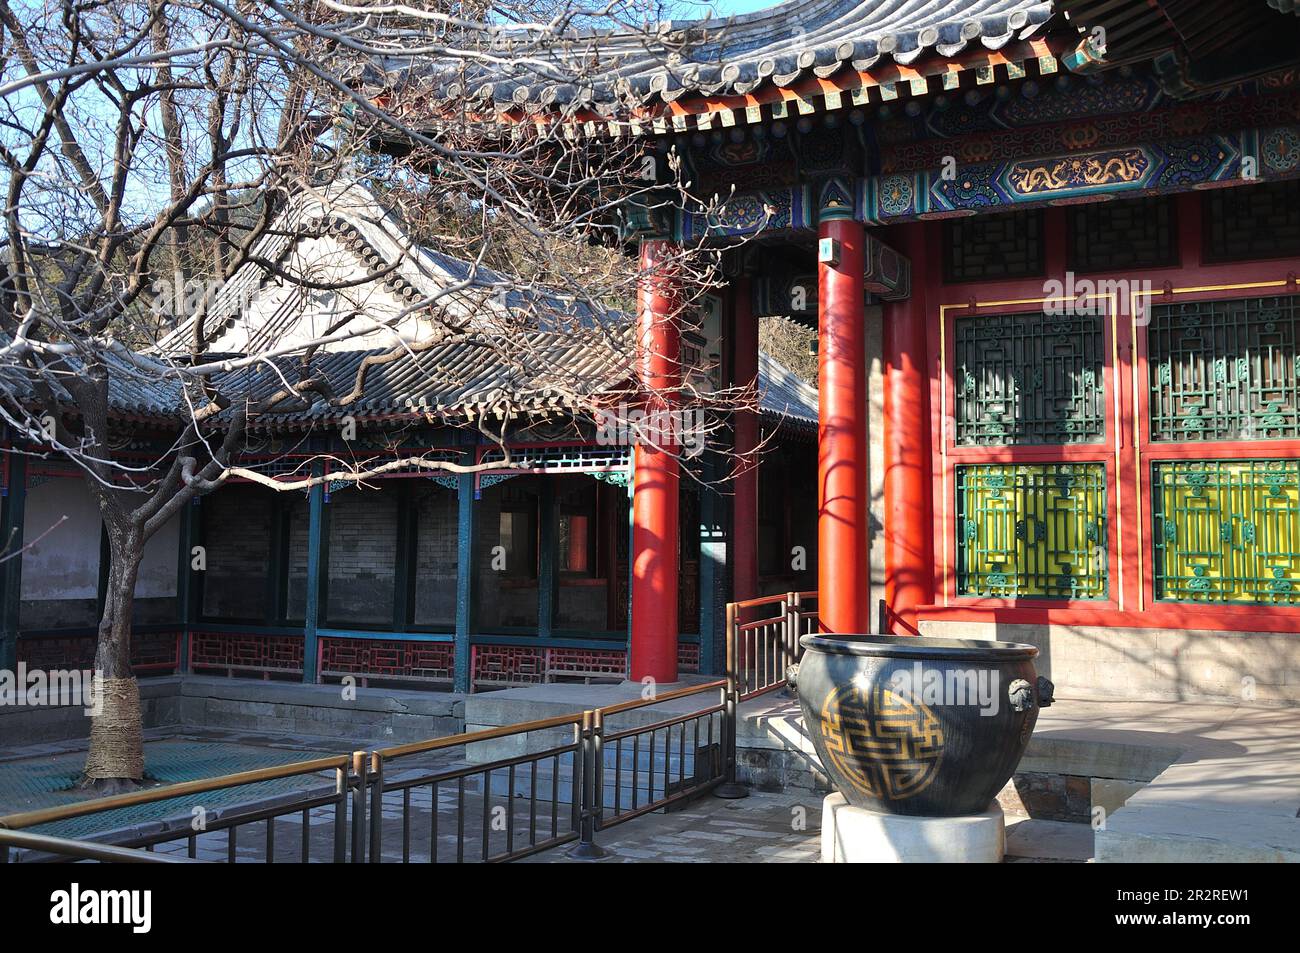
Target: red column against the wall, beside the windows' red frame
909,513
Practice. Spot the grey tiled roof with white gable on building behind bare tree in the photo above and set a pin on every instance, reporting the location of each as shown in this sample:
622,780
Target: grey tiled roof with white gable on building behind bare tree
483,372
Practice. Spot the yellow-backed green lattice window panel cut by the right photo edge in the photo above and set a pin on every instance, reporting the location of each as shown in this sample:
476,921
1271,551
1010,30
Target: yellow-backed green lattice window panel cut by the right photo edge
1228,531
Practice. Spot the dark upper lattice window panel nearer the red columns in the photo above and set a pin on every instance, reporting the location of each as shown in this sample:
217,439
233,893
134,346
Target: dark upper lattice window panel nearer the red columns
1030,379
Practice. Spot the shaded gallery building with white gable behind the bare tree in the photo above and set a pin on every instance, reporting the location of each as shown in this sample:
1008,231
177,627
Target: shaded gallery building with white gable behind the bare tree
512,574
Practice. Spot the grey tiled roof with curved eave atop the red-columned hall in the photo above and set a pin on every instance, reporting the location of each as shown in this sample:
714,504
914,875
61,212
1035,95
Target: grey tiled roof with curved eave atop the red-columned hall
779,46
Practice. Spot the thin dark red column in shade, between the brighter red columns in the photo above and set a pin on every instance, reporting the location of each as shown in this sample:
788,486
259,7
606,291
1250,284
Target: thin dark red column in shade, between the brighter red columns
744,556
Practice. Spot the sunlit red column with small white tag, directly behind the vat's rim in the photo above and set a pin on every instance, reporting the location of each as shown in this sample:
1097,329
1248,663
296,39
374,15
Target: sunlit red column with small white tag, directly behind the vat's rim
843,565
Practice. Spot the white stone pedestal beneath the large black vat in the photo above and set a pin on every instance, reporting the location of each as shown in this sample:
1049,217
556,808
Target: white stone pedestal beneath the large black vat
853,835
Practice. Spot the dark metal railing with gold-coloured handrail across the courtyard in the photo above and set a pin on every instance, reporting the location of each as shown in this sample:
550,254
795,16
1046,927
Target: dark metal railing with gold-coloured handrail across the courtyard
573,777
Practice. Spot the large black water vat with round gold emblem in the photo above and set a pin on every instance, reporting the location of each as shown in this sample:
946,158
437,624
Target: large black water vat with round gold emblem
915,725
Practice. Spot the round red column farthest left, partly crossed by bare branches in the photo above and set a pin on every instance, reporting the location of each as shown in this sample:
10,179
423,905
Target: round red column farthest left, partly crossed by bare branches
655,503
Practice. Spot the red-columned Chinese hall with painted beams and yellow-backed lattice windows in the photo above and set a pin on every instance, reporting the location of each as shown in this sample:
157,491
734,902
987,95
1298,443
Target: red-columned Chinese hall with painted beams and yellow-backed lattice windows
1051,250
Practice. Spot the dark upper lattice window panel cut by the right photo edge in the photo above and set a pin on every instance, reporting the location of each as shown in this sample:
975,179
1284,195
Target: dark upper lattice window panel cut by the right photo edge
1224,371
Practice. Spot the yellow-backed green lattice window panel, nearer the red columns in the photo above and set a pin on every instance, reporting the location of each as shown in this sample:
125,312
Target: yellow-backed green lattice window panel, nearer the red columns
1033,531
